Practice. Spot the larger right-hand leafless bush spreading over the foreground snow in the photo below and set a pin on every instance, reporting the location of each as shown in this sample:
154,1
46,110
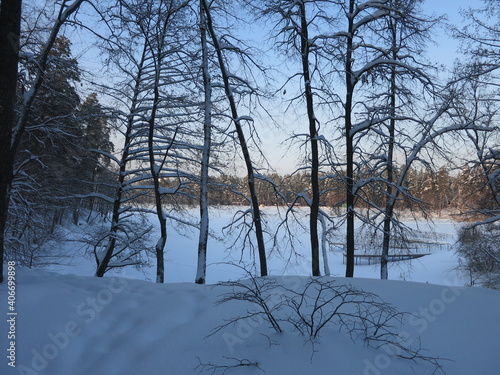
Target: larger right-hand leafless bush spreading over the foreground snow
324,302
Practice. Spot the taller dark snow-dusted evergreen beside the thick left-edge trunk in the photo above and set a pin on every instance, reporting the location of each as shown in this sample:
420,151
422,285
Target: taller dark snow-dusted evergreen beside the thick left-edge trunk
53,132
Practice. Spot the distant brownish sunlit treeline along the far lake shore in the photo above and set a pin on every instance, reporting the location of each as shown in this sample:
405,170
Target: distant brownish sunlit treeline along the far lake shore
431,191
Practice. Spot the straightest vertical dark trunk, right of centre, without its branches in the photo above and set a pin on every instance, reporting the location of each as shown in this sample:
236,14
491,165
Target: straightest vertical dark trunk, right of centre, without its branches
350,83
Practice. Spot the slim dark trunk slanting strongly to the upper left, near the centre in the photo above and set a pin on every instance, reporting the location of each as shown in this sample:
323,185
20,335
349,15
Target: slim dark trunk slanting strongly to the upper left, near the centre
259,234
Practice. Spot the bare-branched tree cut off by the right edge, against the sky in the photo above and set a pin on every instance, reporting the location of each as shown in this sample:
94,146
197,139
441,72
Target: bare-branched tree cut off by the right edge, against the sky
480,41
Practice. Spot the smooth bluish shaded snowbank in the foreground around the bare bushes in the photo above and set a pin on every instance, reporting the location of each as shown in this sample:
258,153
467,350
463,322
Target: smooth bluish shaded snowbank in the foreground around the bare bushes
84,325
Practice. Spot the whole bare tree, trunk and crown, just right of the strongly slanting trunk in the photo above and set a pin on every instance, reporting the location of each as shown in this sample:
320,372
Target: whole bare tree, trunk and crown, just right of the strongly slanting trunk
294,21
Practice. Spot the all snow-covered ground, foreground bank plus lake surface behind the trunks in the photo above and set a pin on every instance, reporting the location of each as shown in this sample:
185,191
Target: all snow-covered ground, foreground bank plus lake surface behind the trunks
69,324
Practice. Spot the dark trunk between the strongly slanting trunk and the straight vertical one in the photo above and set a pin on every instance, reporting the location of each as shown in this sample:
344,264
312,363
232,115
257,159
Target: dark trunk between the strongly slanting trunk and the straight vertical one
313,136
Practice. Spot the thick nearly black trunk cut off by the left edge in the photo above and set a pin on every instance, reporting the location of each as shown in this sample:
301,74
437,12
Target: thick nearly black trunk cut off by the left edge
10,20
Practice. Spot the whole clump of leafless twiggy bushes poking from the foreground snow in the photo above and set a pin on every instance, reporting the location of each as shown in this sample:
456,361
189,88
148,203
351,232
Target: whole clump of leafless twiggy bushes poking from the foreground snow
323,302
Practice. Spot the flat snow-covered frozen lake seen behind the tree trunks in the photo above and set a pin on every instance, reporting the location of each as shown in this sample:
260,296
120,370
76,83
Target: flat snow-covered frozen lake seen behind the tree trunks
181,253
